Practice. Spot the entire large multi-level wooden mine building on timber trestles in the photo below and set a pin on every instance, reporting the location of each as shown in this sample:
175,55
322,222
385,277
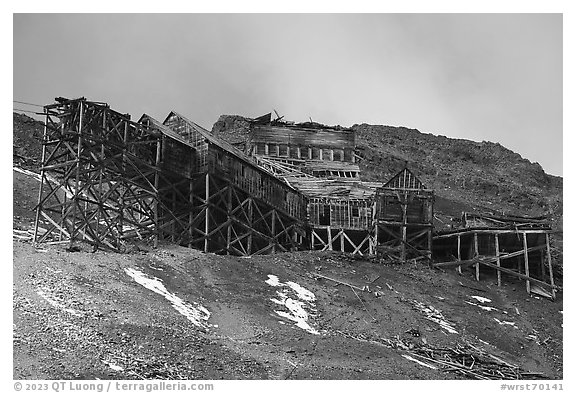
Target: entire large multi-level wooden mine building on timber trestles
107,179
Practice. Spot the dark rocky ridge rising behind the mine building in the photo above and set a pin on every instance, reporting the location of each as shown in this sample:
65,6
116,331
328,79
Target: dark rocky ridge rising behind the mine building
464,174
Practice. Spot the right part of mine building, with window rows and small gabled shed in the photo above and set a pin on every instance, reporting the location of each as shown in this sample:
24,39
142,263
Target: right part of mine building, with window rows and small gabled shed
345,213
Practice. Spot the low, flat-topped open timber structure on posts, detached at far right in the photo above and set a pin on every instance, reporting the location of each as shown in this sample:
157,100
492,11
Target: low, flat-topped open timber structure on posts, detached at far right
516,247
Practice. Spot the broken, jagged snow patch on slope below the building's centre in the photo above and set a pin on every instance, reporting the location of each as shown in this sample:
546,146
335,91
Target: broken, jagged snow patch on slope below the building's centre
297,307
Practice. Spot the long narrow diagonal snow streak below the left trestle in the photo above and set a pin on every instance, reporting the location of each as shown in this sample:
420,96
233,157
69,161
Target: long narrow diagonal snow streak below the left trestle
195,313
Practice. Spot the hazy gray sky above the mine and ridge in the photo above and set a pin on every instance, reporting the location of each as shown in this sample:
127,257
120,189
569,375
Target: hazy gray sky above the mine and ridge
493,77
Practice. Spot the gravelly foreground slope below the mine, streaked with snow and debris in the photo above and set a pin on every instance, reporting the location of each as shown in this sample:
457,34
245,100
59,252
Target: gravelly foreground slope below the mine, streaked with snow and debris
173,312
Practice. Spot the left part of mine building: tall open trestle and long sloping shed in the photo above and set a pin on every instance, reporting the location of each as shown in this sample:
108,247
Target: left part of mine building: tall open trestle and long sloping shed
106,179
